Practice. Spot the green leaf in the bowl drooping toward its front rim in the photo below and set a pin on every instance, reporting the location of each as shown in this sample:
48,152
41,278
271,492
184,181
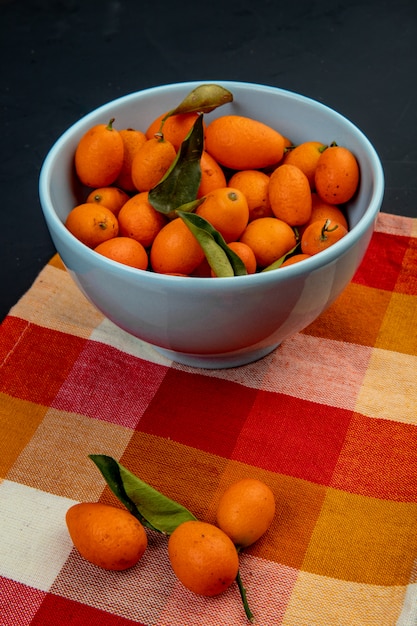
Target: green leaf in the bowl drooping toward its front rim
222,260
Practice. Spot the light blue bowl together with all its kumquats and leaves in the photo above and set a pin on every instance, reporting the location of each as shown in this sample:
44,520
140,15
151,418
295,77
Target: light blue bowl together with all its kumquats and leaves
212,220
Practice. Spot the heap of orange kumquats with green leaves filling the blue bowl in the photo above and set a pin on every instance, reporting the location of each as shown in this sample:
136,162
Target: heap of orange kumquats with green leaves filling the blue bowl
253,189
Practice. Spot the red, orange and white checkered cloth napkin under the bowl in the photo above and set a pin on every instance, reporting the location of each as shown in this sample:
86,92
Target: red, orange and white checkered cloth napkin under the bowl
328,420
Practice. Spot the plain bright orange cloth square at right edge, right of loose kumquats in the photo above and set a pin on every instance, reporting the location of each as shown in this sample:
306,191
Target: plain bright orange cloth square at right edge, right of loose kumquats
363,540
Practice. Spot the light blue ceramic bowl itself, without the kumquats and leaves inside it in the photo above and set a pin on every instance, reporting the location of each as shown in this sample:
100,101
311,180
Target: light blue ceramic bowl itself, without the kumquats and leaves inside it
227,322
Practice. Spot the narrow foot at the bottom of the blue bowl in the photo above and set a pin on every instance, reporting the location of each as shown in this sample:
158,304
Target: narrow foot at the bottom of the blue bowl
217,361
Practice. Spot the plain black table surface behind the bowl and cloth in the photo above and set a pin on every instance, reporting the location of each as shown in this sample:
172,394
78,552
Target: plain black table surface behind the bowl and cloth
60,59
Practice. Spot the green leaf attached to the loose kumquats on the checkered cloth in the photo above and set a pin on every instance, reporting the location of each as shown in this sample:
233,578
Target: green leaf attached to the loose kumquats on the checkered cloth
151,507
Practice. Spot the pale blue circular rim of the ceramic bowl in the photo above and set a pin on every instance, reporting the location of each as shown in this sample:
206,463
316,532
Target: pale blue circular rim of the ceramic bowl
325,257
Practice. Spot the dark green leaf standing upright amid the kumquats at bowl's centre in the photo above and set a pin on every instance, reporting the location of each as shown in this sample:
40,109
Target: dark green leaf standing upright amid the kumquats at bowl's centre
180,184
